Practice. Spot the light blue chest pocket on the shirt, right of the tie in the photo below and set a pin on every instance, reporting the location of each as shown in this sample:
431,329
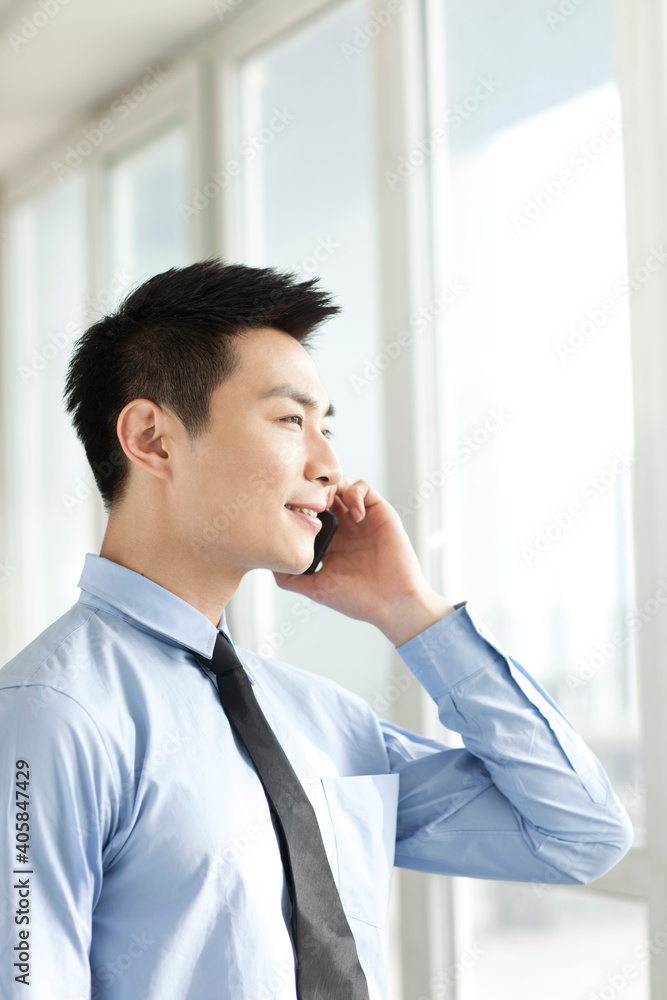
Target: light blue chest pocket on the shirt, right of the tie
363,811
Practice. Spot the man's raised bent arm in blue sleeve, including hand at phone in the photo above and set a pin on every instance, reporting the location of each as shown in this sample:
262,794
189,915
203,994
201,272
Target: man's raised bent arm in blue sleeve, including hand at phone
525,799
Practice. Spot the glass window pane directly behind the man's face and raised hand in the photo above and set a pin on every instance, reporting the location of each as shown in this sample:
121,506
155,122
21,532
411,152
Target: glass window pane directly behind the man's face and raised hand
309,207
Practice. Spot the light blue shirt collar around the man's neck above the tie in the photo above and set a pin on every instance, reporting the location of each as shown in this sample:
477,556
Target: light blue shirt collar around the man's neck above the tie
129,595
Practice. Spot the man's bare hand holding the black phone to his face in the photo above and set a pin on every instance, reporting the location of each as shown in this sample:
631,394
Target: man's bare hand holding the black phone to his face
370,570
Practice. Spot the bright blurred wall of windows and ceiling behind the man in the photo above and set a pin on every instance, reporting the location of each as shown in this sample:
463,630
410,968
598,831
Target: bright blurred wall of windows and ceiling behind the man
481,187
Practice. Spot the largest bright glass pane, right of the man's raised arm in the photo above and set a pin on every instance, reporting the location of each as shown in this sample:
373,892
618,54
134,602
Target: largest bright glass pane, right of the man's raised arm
538,378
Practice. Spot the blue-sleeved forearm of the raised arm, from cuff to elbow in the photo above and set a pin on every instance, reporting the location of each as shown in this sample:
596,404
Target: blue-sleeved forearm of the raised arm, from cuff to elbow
564,803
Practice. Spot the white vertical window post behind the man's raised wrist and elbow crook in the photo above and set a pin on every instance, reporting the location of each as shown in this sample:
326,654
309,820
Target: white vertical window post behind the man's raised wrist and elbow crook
427,928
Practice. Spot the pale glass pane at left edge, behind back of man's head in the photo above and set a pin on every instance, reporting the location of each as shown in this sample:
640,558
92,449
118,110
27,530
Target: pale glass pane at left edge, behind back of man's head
50,488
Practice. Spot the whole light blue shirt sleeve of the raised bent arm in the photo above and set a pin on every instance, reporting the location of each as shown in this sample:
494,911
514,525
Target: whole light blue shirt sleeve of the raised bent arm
525,799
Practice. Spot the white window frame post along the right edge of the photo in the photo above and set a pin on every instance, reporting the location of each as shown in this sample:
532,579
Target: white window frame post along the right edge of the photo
640,37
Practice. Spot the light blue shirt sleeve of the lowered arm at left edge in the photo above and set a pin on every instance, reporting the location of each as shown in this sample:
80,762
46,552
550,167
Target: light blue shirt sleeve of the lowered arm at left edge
58,804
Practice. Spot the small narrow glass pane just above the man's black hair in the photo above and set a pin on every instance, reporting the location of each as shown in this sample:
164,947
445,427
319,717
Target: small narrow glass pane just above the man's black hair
145,189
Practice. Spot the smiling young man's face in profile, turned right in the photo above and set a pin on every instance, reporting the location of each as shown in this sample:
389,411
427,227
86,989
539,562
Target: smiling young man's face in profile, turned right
260,454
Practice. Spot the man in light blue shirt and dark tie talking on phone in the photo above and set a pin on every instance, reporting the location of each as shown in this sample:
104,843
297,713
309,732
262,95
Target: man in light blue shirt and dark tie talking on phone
145,855
